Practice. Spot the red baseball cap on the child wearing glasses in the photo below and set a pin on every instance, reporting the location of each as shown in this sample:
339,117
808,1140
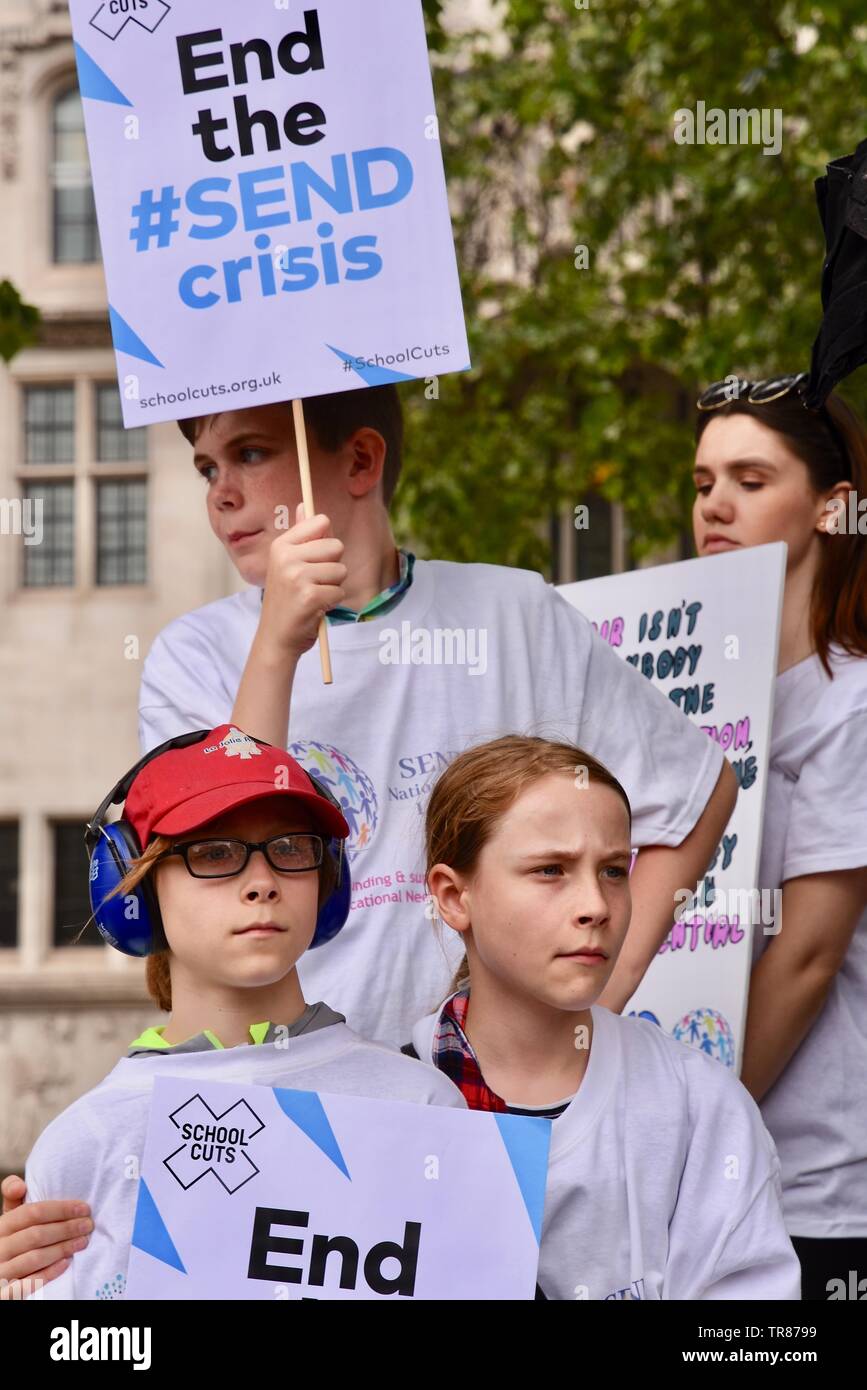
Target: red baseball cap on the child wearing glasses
185,787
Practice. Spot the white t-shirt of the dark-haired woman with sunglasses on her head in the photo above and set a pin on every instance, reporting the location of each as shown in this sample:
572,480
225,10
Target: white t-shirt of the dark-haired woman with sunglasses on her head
816,822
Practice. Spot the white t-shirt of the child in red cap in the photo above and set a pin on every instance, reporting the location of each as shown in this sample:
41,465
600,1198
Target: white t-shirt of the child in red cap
94,1146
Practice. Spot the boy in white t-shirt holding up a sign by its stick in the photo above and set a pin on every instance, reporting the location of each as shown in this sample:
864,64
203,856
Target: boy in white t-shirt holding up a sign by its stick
499,651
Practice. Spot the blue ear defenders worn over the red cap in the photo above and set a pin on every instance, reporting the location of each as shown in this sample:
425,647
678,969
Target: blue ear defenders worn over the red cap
131,922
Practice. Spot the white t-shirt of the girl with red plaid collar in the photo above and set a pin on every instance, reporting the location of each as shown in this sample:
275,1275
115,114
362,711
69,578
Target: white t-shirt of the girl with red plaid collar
662,1182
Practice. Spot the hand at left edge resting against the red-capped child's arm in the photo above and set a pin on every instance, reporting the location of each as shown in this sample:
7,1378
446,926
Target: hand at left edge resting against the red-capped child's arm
37,1239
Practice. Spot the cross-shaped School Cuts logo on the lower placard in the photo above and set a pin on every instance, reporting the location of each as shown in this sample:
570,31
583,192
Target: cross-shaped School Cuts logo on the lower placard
215,1145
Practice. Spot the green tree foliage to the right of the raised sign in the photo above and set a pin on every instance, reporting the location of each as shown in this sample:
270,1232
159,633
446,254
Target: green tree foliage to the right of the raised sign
558,131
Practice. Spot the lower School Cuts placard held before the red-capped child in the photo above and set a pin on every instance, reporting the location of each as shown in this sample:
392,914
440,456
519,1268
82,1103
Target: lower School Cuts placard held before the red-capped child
262,1193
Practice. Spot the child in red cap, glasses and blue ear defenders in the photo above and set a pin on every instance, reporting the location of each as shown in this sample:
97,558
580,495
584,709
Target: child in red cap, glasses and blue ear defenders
230,886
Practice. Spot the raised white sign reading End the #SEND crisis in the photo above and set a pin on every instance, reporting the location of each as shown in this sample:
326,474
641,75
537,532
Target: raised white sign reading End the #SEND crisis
272,199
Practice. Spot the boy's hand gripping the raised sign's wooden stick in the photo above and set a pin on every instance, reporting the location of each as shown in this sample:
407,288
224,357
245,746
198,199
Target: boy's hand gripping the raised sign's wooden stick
305,580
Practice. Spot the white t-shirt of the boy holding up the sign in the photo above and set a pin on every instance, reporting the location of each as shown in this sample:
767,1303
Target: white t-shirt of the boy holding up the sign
383,733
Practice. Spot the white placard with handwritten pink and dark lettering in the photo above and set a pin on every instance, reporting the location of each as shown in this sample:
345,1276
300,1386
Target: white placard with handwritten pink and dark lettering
708,633
